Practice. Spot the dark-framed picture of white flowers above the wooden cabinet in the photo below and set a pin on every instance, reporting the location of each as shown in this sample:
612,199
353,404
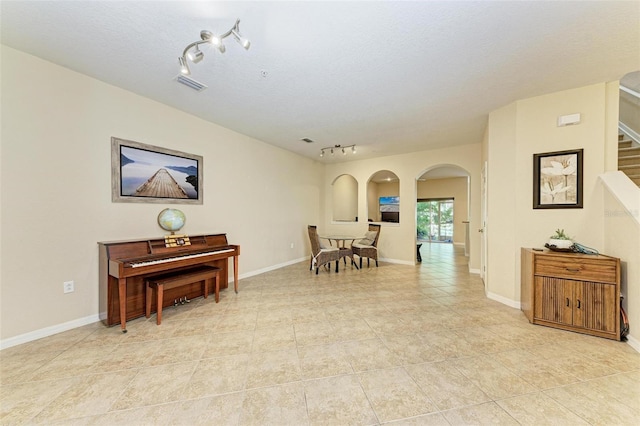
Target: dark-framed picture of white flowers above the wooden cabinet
557,180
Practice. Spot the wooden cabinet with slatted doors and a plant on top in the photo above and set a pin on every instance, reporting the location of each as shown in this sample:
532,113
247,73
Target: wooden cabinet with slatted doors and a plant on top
571,291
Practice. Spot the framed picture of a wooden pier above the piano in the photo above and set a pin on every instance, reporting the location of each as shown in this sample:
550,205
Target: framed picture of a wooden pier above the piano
142,173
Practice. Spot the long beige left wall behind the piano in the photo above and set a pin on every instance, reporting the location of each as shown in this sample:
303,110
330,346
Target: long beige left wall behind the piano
56,197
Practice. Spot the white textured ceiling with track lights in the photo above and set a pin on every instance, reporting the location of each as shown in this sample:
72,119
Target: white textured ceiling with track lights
391,77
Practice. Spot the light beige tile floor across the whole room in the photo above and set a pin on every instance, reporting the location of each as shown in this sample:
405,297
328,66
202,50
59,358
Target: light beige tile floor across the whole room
396,344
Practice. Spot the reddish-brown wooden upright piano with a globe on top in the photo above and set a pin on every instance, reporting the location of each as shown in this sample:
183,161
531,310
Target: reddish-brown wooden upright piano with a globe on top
124,265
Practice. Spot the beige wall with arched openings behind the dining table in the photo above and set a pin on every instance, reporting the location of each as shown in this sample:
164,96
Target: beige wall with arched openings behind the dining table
397,241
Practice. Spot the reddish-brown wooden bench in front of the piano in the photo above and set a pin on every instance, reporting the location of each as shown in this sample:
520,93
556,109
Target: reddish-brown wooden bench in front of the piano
206,274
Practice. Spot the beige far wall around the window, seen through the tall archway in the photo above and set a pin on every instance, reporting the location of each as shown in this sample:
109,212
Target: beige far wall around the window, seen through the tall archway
455,188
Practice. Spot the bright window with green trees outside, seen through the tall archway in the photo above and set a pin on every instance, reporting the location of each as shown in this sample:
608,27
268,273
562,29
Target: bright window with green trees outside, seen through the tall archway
435,220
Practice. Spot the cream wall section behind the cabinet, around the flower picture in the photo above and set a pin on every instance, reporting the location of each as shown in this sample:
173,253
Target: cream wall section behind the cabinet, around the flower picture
518,131
